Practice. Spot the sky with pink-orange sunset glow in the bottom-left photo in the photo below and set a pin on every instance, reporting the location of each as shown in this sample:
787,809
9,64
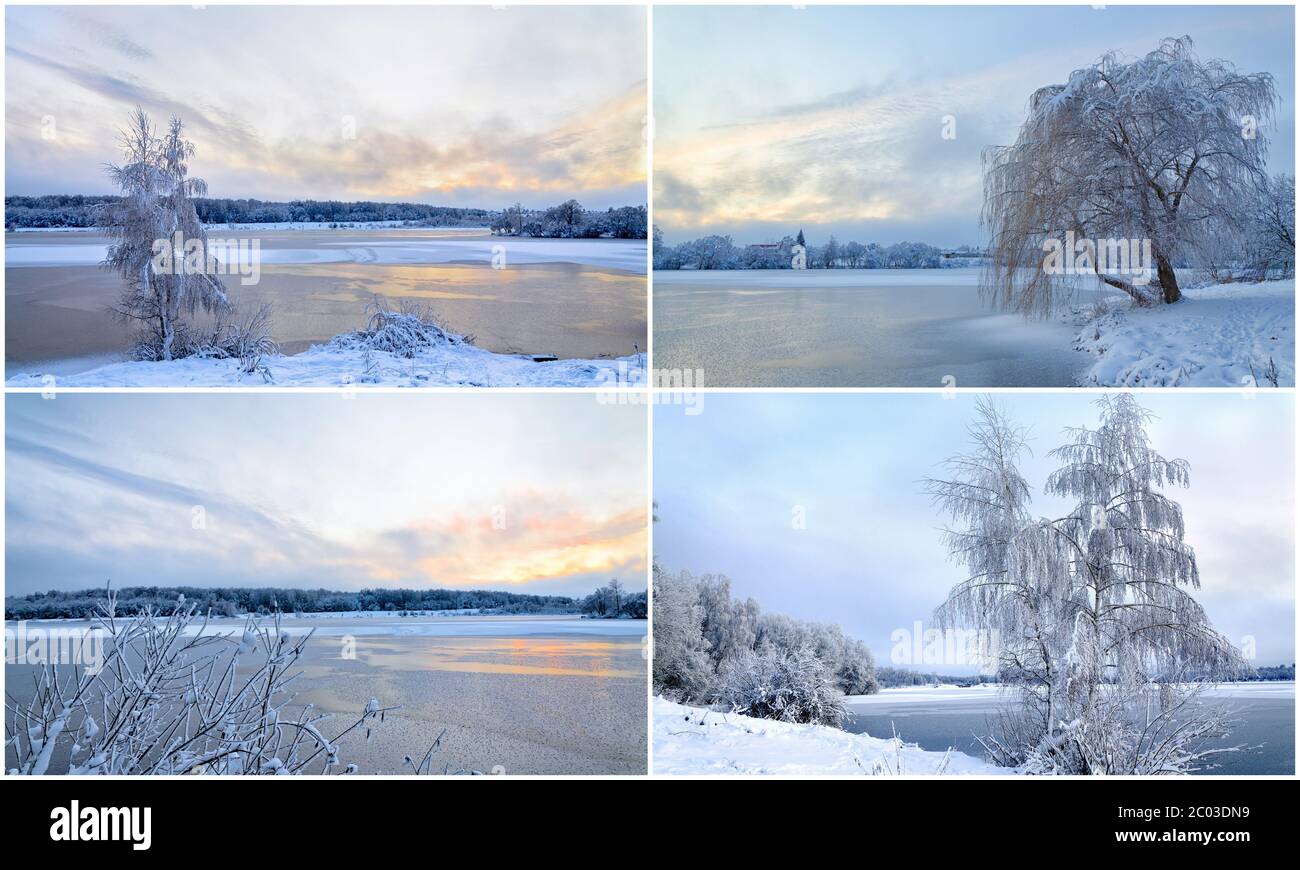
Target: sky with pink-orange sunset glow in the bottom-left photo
527,494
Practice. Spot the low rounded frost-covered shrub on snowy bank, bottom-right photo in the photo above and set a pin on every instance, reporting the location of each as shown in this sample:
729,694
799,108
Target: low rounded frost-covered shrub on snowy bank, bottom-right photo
788,686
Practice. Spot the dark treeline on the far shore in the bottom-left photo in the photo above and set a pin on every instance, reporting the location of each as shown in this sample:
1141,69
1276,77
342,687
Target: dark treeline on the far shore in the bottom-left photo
610,601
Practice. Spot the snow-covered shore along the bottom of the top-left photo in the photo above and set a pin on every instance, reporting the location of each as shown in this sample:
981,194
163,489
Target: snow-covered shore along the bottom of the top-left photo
331,366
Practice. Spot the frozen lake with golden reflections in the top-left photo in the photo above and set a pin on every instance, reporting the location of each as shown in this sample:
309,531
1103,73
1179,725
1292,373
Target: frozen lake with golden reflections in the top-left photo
573,298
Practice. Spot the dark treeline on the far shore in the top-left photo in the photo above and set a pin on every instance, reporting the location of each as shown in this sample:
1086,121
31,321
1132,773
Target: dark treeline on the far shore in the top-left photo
567,220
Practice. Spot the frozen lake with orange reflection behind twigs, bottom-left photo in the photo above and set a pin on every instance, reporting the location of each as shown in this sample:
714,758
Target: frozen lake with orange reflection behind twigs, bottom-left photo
522,695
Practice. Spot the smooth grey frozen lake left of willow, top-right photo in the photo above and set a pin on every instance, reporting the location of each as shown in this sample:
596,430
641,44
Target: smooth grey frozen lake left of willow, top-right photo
853,328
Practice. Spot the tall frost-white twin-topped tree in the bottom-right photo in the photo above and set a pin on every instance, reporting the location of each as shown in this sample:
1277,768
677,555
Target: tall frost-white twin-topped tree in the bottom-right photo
1098,631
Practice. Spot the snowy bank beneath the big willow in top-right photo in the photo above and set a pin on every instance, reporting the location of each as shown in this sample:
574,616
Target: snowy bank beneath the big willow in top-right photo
1215,337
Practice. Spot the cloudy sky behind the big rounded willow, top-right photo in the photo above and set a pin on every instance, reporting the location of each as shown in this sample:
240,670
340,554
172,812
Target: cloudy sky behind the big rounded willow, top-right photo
831,118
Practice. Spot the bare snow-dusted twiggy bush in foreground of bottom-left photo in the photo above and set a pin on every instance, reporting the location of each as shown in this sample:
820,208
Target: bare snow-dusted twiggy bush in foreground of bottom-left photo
174,698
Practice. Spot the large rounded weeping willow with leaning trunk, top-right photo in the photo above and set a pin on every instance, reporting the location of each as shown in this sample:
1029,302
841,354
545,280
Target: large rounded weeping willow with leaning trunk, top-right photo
1167,150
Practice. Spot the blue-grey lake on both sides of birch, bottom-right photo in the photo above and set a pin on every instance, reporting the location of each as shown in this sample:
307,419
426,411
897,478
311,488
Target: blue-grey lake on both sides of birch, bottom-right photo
950,717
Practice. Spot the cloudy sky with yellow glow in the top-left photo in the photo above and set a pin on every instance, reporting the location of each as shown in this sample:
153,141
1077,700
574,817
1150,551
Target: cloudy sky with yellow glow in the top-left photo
450,106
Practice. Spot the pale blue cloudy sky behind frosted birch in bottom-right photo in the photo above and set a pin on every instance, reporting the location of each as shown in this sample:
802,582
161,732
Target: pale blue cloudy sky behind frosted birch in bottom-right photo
872,556
